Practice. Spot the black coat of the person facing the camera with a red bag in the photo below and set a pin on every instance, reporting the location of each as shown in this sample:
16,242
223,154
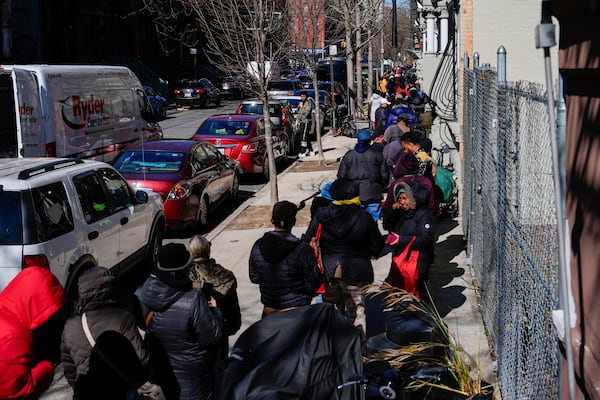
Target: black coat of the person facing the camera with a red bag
419,223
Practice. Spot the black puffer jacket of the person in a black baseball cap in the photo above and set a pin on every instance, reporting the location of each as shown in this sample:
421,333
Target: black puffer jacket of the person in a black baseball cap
285,269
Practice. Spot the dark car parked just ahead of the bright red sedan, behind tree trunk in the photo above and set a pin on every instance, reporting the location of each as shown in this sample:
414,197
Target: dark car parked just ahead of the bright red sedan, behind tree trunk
280,115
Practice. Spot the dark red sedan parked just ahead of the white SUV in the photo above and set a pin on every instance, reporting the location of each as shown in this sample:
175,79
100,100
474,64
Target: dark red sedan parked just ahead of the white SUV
192,177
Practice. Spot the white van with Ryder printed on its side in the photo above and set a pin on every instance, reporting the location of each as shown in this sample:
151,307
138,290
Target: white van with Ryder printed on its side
72,111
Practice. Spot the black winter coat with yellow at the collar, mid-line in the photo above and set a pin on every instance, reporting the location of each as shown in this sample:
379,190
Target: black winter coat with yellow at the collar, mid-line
350,238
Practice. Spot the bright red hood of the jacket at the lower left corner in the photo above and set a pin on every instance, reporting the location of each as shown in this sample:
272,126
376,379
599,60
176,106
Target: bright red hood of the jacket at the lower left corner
33,296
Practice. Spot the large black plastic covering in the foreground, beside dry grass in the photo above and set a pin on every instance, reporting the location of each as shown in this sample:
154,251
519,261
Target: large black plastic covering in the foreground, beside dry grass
303,353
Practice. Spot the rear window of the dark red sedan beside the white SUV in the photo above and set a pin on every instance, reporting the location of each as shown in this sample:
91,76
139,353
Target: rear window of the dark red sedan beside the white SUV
150,162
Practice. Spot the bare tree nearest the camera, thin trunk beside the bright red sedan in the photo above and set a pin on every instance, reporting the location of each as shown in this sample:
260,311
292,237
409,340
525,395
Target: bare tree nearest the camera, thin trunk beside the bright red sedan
242,32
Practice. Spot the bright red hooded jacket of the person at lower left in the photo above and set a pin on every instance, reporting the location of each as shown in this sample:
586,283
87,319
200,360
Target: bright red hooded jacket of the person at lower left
25,304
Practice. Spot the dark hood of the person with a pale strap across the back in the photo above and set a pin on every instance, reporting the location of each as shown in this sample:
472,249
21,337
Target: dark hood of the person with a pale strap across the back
97,288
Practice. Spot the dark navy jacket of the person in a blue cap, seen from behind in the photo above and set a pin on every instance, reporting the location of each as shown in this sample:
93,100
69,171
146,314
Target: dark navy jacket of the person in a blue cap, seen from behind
367,170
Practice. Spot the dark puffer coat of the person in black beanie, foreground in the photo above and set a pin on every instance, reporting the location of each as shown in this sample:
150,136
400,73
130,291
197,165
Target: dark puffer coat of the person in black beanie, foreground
188,328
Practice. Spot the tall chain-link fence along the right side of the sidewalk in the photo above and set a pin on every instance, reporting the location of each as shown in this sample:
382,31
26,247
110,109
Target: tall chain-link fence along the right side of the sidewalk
509,217
